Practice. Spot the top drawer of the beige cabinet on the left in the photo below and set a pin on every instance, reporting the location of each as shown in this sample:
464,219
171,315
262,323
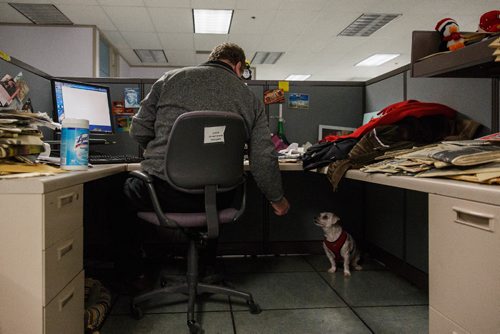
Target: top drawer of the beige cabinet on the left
63,213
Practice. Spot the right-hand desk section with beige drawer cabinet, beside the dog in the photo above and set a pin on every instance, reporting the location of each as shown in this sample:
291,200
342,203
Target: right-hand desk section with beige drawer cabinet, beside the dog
464,244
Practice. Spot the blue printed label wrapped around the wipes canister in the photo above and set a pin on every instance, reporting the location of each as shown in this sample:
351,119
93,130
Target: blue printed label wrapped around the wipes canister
74,147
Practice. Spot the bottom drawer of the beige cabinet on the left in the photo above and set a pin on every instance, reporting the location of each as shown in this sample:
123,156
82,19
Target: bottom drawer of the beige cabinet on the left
65,314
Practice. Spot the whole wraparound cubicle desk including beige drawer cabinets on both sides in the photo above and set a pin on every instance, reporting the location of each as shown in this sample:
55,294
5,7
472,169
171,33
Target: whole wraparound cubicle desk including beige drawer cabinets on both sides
41,237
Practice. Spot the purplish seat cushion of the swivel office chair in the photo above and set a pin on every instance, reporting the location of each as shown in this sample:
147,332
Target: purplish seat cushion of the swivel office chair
189,219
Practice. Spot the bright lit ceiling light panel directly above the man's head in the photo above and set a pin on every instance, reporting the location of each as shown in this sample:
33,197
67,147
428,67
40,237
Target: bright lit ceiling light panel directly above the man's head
212,21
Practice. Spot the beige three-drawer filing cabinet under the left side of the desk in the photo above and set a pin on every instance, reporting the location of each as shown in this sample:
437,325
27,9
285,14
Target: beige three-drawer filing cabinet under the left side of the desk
41,245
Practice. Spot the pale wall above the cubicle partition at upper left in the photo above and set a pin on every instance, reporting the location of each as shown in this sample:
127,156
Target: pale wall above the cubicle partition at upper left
58,51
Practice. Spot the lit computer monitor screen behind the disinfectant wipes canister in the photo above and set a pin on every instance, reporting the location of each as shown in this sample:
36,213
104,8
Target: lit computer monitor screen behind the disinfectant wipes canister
85,101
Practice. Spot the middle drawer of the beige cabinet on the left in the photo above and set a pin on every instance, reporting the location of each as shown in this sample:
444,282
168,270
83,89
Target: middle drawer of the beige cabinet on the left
62,262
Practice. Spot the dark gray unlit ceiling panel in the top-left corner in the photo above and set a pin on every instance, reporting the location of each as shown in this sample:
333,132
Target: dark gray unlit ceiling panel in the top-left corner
41,13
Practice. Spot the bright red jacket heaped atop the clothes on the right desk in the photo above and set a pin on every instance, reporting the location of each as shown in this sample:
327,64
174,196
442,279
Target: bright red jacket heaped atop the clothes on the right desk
396,112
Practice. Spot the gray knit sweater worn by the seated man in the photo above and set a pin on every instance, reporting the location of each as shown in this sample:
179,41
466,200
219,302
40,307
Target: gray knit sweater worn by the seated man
210,86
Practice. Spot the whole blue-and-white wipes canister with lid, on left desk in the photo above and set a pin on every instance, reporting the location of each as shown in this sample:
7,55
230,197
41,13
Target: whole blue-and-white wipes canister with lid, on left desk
75,144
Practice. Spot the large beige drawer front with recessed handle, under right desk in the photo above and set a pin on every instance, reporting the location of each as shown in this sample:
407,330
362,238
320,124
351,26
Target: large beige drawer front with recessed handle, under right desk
464,266
